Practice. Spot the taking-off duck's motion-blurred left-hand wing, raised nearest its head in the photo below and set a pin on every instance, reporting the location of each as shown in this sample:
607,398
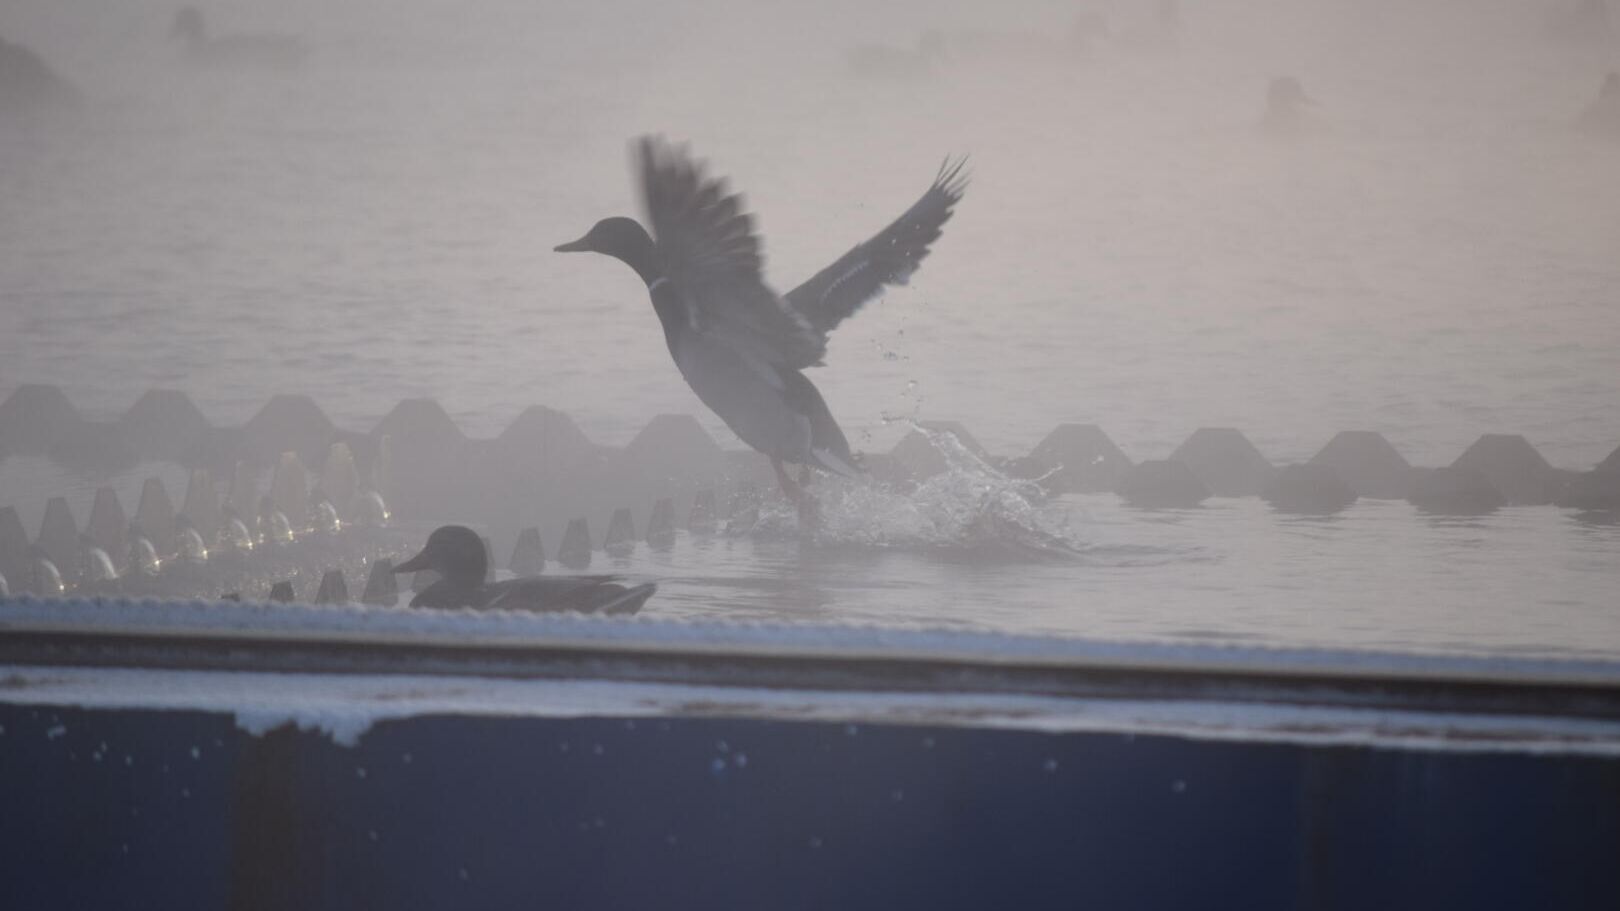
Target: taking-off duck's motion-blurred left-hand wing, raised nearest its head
712,257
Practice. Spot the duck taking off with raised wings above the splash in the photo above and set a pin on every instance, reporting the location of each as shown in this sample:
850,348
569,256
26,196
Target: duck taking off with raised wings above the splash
740,344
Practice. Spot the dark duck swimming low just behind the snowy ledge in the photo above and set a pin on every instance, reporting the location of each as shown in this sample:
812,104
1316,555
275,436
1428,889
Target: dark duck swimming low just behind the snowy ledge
461,560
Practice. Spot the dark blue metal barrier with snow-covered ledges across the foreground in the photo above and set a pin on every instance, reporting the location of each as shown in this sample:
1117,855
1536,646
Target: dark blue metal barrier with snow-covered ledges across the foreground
545,772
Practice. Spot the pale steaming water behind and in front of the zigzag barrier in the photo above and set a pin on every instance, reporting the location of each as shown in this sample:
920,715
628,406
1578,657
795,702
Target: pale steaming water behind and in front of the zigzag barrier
1438,257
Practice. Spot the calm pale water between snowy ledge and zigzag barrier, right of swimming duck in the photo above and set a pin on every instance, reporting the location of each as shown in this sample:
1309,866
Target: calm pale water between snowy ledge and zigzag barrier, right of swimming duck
1528,580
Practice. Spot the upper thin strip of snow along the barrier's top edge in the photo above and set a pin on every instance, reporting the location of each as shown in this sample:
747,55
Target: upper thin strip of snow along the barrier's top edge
513,630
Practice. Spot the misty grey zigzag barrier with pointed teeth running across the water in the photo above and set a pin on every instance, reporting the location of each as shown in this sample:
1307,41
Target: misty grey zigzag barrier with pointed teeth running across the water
289,471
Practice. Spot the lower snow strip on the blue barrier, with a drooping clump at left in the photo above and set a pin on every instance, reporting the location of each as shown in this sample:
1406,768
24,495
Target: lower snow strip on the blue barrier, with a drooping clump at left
346,708
